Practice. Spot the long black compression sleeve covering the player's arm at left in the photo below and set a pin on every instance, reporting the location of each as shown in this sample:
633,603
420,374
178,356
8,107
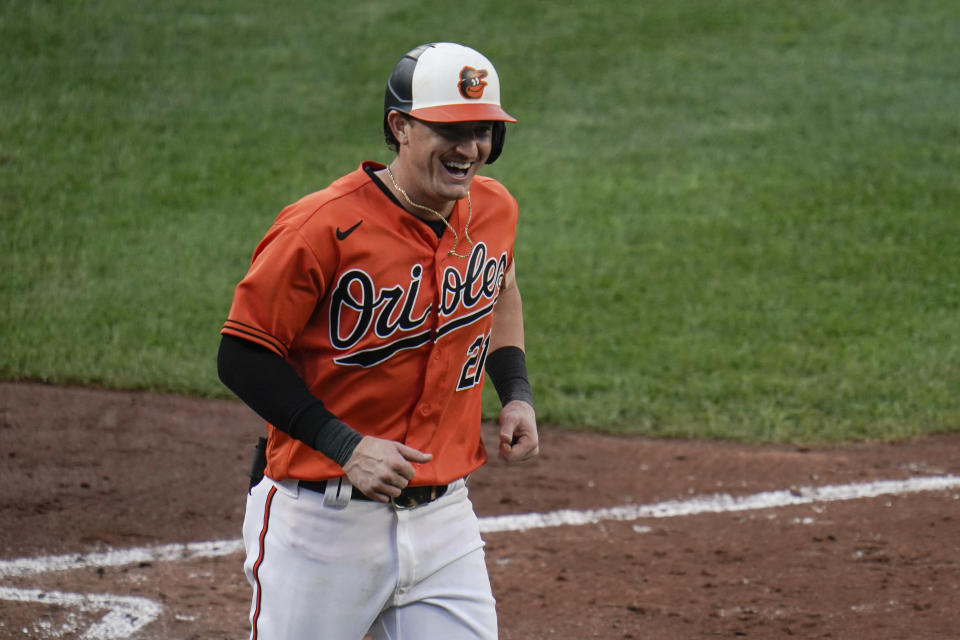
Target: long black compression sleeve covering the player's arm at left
270,386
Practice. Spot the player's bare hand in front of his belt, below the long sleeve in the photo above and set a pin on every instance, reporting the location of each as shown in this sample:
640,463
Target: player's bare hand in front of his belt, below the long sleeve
381,469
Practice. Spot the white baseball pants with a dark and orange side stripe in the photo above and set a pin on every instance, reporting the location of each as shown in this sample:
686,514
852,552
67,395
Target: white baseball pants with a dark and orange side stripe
322,573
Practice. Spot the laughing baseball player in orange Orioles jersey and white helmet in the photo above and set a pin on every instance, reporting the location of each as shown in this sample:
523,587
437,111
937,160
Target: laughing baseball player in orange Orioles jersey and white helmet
362,333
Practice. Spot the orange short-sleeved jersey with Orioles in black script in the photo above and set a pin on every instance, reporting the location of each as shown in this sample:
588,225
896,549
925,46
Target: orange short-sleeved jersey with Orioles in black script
385,328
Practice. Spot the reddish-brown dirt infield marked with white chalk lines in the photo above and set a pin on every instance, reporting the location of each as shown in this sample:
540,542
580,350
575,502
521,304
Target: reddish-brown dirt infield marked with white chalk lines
88,471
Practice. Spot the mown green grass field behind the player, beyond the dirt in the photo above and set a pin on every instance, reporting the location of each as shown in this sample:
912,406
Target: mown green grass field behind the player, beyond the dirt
738,219
